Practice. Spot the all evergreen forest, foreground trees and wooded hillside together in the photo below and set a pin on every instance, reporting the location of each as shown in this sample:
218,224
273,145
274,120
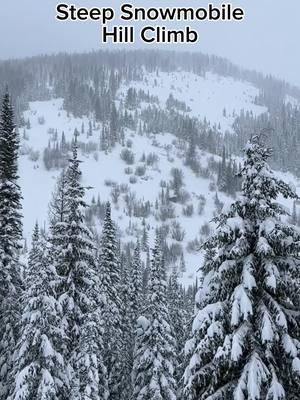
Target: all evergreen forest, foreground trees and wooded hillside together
85,315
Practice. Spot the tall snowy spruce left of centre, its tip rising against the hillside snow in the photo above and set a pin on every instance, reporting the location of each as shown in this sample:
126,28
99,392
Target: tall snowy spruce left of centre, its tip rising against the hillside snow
79,294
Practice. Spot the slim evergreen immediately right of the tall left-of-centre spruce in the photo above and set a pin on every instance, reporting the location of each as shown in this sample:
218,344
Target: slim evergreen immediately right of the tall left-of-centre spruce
110,276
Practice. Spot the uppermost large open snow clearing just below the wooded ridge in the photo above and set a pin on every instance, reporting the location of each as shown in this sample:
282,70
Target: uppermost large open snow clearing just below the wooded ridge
206,97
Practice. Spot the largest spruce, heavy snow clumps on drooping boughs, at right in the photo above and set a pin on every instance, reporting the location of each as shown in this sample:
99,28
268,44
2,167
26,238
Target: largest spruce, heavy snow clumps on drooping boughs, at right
245,340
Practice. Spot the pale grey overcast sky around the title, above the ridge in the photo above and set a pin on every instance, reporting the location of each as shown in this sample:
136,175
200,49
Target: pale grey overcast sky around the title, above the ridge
267,40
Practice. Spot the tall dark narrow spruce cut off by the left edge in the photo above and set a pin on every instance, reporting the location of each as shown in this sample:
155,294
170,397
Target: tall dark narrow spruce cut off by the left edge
10,235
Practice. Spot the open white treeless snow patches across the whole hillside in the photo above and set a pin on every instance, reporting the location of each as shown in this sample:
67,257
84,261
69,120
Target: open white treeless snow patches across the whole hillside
206,97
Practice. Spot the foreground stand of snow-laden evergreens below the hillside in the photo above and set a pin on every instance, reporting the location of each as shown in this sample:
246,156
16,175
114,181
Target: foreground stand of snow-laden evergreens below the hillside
86,320
